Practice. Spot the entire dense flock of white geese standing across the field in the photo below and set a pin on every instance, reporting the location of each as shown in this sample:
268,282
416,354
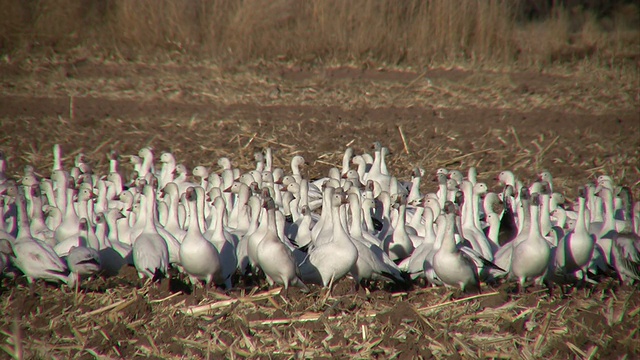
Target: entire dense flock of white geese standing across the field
362,222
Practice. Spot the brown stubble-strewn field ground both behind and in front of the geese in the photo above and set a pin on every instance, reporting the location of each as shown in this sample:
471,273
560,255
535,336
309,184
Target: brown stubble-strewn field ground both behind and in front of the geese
577,124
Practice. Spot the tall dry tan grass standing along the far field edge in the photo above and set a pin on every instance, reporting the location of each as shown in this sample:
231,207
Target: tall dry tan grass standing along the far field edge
419,33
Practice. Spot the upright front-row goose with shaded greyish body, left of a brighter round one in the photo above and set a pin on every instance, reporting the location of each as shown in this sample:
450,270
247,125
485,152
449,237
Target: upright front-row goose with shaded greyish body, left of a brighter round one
150,251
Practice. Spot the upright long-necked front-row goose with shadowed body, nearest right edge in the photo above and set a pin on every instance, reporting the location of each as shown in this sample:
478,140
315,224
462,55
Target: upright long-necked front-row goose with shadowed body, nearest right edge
575,249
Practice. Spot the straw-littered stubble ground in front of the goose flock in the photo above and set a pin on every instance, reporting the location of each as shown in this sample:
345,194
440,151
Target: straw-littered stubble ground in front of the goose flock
127,320
